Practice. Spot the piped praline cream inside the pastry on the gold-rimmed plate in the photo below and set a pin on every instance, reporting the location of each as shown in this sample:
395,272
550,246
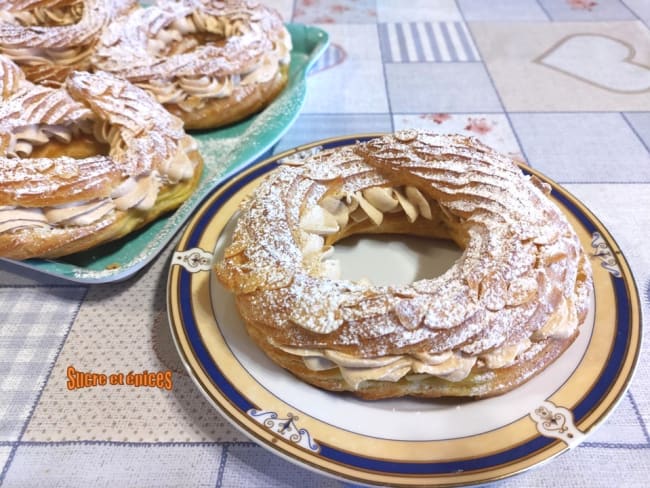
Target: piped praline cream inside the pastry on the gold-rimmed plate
333,215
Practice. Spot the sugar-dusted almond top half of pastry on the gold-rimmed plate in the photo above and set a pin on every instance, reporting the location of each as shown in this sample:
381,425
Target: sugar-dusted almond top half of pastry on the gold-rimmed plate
485,301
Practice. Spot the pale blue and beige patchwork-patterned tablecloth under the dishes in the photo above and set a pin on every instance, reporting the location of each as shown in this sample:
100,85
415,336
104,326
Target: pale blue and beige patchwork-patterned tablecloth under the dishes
561,84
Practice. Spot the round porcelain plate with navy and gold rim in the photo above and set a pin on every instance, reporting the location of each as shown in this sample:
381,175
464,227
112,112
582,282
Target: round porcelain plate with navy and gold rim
403,442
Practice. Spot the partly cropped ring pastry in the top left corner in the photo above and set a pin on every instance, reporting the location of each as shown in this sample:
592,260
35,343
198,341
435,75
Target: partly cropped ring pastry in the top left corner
51,38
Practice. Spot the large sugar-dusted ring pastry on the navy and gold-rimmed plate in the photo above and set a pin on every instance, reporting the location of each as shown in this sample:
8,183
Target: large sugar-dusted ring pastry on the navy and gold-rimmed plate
504,311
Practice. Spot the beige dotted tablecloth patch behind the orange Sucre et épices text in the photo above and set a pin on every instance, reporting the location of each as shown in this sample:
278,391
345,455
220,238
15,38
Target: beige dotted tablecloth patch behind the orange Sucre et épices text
122,328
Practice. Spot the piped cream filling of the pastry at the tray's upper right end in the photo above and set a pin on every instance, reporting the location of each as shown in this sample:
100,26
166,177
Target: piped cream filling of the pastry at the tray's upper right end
191,92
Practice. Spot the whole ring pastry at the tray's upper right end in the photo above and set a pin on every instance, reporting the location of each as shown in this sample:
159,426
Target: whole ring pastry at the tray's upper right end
211,63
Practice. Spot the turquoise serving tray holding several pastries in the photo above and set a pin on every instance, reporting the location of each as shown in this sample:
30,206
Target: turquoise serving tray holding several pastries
223,150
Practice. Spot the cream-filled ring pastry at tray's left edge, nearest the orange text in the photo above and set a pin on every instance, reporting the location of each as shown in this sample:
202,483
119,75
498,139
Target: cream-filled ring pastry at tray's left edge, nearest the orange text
87,164
